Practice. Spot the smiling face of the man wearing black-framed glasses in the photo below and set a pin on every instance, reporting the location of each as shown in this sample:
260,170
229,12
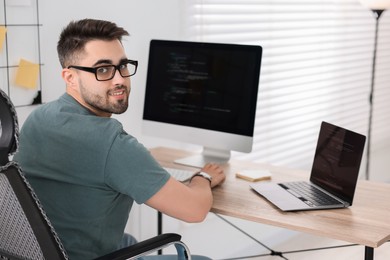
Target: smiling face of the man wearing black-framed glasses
101,97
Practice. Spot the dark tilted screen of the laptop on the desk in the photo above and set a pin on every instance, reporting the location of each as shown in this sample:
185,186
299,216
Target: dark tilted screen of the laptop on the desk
337,160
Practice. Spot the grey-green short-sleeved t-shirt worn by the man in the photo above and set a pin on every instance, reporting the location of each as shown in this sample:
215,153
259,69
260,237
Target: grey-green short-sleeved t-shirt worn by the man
86,171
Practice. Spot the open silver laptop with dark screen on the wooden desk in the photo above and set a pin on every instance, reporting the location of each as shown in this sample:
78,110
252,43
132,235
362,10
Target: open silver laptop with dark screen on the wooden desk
333,177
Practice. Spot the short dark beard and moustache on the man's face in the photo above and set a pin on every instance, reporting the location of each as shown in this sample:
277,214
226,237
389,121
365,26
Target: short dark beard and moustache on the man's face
103,103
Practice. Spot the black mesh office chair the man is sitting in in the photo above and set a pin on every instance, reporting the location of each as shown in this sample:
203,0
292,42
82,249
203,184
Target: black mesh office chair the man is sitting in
25,230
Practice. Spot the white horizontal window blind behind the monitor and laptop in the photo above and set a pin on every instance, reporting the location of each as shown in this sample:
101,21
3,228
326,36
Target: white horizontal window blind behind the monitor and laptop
317,61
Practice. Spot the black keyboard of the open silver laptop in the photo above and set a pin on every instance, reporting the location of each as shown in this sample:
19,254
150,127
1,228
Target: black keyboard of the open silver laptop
309,194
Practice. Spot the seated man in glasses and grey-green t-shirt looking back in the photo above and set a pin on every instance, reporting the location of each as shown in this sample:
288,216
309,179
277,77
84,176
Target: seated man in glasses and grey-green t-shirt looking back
84,167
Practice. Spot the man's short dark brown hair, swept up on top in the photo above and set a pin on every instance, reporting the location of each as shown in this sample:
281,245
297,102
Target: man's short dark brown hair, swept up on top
74,37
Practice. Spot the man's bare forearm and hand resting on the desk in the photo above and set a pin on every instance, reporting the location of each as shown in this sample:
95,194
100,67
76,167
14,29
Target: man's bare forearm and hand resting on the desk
191,202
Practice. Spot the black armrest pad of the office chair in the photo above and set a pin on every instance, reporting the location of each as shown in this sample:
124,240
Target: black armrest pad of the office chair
148,245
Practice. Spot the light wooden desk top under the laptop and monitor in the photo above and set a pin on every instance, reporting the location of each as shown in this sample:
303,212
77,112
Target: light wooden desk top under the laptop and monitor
366,222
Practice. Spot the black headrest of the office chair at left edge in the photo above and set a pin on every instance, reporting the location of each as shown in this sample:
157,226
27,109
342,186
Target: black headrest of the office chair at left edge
9,129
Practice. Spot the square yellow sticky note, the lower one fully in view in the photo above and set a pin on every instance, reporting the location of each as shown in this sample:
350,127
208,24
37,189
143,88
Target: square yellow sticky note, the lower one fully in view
27,74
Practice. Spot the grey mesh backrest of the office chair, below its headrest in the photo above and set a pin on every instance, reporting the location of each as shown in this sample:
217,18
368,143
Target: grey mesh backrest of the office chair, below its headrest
25,231
